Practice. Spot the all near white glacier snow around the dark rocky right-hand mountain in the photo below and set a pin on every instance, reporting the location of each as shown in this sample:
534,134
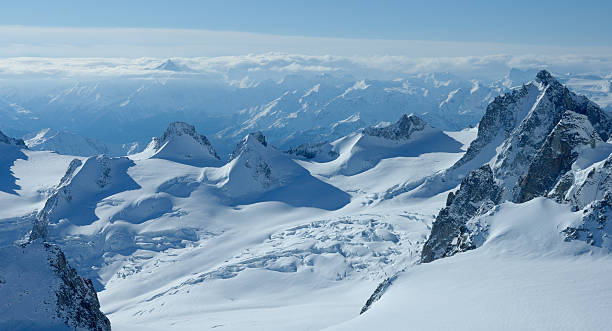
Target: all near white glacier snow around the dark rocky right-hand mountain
237,246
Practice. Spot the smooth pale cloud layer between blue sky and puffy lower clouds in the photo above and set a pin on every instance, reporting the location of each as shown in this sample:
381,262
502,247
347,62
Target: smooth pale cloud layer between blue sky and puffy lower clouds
19,41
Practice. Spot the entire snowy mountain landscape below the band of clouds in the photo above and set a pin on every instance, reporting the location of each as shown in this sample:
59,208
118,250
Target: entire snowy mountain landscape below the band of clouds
310,202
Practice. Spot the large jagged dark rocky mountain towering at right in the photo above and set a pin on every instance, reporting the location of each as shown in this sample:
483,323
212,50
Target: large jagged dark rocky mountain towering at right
550,137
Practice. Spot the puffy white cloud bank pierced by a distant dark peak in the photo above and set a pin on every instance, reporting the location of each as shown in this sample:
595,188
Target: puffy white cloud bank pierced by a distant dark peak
277,65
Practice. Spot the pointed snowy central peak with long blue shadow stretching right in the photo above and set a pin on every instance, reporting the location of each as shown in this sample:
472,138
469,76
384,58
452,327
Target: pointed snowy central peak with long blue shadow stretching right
259,172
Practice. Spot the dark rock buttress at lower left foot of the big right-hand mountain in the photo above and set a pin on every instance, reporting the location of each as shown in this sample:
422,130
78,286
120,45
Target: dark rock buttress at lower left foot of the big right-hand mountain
477,194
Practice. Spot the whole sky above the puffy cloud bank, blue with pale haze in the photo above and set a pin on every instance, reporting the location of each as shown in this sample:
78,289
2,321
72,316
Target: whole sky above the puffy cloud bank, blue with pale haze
139,28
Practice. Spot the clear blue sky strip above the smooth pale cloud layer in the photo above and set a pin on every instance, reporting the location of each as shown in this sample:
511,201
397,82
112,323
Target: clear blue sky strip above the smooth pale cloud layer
564,23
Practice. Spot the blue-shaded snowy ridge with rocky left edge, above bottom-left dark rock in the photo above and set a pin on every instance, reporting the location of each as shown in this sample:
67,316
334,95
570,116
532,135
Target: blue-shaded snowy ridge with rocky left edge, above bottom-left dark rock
81,188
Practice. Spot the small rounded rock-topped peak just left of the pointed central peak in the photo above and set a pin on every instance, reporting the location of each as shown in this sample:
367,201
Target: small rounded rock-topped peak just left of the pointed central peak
181,143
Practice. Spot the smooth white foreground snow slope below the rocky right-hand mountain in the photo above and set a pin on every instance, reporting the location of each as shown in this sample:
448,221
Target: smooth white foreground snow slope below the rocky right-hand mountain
533,278
